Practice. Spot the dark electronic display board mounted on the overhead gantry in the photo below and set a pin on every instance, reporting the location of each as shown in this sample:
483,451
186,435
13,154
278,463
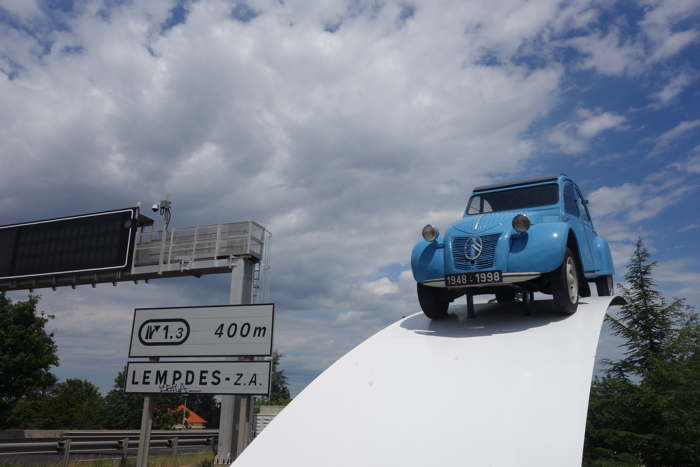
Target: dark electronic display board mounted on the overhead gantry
89,242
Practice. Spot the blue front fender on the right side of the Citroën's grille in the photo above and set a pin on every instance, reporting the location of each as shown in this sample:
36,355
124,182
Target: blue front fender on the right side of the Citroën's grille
540,249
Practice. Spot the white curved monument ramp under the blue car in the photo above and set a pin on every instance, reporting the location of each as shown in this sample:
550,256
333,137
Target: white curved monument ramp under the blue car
504,389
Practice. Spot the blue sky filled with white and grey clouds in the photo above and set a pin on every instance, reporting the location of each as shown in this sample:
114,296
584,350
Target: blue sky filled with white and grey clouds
343,127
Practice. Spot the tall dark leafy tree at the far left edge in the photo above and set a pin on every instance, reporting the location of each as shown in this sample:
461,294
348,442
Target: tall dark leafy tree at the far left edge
27,352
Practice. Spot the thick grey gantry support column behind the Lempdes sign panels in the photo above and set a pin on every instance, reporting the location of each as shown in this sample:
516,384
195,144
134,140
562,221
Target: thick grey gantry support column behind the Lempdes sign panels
229,446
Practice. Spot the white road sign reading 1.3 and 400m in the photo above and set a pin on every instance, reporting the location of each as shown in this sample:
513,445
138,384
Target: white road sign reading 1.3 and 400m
223,331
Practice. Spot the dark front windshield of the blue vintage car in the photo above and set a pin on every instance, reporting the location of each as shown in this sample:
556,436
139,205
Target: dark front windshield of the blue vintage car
517,198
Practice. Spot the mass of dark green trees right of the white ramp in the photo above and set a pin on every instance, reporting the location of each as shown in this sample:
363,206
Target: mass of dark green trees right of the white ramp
646,410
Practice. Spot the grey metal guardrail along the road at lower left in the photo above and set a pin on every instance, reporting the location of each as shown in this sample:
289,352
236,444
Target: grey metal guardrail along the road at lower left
121,443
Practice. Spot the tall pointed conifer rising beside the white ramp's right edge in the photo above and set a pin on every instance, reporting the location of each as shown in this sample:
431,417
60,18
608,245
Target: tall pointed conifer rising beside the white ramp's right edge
646,321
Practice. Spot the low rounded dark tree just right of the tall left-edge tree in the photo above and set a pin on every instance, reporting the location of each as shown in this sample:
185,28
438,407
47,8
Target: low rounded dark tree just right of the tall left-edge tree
74,404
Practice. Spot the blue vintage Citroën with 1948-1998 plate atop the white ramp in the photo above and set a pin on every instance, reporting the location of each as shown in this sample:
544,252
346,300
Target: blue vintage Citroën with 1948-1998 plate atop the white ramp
515,239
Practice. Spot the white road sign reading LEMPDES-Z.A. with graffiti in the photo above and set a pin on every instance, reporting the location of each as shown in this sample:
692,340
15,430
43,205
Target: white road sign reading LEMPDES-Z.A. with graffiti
197,377
